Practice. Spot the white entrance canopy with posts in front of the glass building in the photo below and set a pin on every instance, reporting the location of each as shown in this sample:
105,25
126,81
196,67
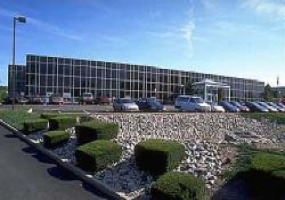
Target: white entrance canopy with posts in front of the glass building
210,89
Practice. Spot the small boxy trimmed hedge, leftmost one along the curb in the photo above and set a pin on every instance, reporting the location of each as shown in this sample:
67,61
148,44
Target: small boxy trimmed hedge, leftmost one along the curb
34,125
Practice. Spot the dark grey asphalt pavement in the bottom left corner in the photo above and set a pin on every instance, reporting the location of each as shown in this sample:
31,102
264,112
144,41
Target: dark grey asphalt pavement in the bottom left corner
25,174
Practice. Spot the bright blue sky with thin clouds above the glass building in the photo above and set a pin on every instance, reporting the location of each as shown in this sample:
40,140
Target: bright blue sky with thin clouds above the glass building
243,38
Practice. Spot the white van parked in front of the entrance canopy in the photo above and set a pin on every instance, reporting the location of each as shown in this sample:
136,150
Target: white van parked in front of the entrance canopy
191,103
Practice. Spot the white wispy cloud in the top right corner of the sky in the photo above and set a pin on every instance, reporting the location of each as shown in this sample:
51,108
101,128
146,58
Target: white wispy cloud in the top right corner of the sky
273,7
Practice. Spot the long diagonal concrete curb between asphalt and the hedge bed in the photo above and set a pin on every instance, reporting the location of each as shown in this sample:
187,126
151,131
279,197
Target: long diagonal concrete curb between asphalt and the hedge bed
83,176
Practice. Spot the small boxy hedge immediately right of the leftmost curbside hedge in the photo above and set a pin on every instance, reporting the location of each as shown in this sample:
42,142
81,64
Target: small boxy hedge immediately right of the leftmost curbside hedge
62,122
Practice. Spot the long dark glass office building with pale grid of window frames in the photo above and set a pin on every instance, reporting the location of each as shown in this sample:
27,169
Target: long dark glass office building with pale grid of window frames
45,74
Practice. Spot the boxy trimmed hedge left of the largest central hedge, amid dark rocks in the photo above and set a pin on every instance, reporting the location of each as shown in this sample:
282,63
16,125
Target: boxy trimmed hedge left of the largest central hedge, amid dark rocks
97,155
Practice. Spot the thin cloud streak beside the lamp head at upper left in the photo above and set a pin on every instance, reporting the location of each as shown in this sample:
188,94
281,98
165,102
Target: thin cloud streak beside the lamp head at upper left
44,26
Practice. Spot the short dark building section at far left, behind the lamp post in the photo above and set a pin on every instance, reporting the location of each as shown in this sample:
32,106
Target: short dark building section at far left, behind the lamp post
16,79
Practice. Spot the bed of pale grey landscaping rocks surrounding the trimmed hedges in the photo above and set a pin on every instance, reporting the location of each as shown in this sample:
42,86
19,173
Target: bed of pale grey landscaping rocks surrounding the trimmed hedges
206,137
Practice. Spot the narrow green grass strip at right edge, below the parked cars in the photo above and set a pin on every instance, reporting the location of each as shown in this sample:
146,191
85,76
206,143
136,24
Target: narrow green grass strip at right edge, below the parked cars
273,117
